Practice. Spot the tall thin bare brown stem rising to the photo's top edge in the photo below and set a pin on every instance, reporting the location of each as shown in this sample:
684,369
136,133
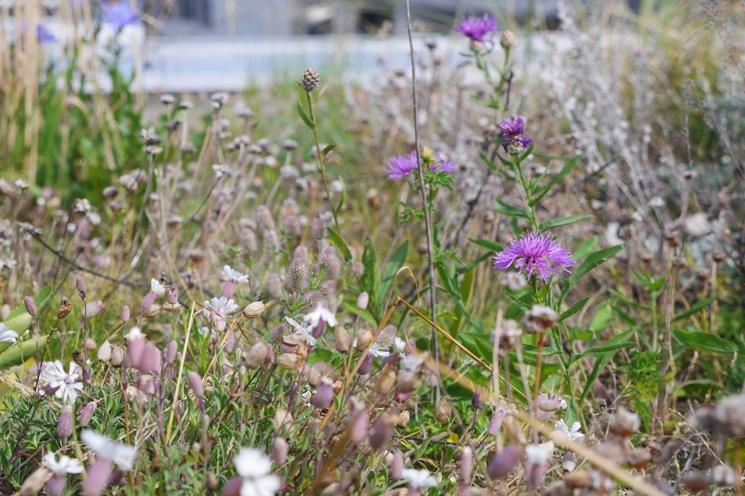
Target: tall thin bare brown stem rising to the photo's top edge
425,205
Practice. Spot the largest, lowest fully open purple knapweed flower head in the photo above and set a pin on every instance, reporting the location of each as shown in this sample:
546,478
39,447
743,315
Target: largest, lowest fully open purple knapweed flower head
534,254
